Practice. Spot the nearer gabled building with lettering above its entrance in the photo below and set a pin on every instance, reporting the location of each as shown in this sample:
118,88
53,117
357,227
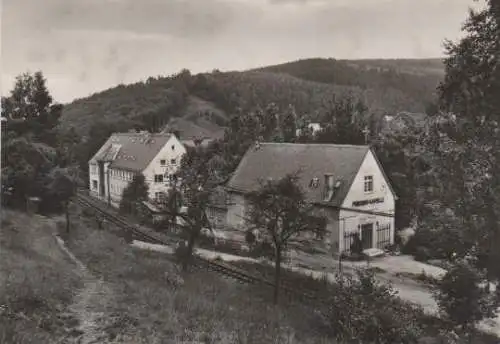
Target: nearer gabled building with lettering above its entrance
346,184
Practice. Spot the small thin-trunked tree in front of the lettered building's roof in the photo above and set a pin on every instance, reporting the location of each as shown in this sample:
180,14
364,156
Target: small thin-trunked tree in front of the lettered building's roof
279,210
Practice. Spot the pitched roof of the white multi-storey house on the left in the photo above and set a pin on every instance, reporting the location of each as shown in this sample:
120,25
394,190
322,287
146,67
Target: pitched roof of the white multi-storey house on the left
131,151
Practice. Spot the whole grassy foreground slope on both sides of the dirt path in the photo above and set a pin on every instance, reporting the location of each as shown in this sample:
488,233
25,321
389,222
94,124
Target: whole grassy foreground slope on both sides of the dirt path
142,304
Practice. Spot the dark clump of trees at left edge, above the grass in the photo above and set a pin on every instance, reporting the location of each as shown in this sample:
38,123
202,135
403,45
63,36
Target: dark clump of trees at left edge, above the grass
34,157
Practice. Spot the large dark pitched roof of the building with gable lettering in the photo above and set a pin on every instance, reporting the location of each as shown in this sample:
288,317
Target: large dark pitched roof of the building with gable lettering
311,161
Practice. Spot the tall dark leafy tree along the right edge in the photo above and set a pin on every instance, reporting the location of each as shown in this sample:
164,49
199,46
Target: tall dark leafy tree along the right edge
467,135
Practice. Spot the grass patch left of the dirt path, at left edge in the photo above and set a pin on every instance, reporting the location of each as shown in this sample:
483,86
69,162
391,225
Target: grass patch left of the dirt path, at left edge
37,280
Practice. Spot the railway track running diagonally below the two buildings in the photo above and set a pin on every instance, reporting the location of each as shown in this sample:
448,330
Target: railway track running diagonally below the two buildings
238,274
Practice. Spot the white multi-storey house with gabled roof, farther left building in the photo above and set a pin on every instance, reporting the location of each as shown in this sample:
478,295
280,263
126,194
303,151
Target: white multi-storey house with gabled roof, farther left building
156,156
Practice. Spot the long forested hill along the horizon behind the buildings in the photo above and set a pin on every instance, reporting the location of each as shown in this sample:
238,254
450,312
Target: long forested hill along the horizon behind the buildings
207,100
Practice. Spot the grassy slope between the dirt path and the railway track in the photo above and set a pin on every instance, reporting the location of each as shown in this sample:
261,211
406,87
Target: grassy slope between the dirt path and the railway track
206,308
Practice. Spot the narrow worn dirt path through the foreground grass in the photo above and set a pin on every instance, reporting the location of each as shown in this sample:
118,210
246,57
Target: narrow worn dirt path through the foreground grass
88,308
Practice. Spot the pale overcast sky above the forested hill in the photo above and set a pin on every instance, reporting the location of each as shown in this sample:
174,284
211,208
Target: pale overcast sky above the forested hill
84,46
